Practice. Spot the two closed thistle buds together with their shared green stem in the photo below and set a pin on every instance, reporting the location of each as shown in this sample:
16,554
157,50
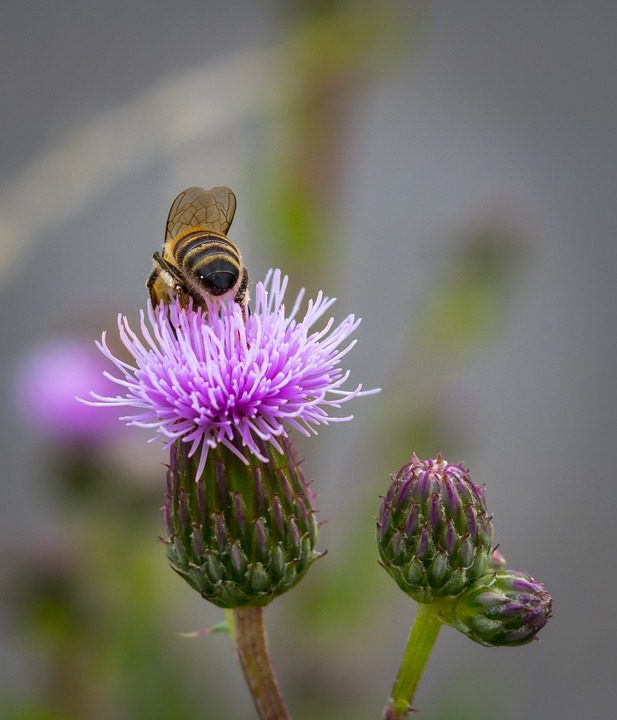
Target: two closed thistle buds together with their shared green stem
435,539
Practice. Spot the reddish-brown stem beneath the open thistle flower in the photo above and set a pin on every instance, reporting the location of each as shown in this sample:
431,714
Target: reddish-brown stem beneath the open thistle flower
248,632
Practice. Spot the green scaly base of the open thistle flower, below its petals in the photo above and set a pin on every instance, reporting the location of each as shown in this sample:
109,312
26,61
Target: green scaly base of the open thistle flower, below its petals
242,534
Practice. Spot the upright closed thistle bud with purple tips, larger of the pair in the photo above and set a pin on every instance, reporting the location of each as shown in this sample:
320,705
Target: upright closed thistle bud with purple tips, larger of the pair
434,533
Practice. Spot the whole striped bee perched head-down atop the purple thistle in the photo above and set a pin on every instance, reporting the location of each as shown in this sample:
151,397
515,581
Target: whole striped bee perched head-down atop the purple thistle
198,259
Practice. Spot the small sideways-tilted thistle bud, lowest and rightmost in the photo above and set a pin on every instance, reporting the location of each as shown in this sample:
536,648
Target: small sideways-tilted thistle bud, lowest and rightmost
503,608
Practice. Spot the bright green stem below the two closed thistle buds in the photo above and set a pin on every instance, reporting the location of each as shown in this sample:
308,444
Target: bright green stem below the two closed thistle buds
421,640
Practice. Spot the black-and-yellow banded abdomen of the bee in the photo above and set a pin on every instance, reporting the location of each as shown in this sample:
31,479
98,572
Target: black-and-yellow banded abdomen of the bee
210,261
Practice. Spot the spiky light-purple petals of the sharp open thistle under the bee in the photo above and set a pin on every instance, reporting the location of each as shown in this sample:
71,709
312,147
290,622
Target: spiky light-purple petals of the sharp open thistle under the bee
213,378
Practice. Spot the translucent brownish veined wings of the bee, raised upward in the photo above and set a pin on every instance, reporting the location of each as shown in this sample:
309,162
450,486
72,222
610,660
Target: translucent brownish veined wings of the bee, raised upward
199,209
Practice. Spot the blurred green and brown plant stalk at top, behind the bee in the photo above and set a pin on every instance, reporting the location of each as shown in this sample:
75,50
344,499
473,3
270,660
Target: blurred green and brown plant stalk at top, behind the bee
333,49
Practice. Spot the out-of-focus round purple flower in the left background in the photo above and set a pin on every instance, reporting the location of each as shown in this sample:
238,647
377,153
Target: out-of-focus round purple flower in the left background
47,382
